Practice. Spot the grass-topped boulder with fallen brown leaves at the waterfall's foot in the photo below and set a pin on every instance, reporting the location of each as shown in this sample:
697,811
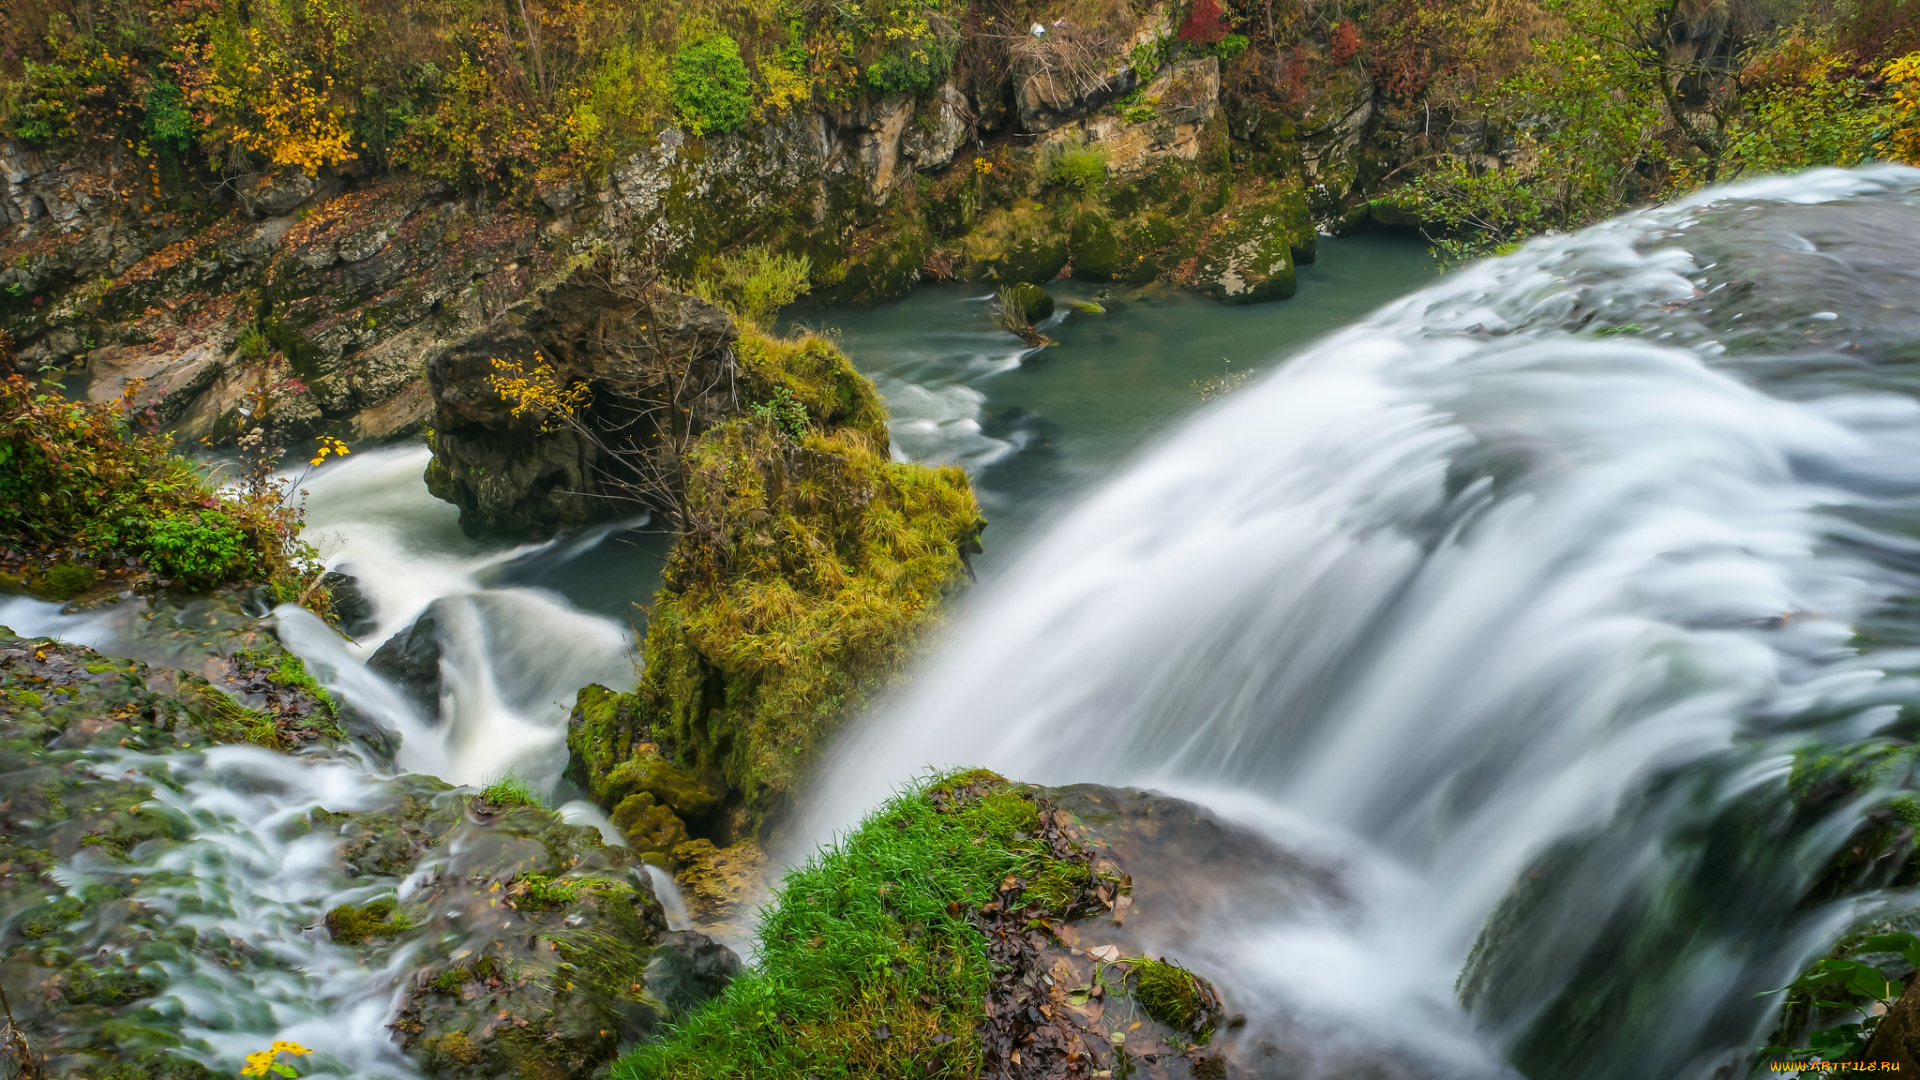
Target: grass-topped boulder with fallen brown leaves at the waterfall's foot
1013,945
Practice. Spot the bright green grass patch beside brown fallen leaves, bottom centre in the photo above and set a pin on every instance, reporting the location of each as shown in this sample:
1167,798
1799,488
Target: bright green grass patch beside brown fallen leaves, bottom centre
871,962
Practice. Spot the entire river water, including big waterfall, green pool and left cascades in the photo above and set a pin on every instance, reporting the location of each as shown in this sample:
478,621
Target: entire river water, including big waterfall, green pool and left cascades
1541,574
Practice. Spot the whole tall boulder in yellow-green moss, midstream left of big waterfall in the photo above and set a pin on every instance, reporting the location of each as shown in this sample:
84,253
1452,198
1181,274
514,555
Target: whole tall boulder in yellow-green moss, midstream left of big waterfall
811,568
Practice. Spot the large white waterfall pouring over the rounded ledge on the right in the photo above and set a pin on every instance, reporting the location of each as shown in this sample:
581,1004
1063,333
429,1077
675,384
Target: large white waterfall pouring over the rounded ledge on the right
1539,576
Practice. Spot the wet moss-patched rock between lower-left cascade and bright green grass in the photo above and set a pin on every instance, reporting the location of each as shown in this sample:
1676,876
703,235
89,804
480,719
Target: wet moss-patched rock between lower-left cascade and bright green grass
548,950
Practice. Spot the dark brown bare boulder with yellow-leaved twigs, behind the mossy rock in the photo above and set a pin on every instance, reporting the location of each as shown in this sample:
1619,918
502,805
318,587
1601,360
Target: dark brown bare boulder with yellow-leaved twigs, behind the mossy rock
648,370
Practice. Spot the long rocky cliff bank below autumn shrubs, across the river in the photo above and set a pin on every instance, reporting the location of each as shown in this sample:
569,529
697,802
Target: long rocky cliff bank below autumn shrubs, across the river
329,293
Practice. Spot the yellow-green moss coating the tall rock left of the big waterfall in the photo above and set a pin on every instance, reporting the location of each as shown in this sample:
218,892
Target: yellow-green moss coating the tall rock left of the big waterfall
807,579
